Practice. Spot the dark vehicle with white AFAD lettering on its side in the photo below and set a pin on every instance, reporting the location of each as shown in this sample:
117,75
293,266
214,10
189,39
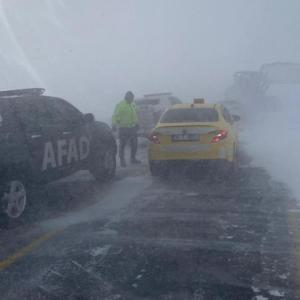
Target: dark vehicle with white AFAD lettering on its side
45,138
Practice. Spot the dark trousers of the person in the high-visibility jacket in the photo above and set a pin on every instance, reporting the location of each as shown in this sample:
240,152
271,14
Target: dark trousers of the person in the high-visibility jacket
127,135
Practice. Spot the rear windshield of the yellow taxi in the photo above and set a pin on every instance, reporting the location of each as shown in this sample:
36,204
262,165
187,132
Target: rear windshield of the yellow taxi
190,115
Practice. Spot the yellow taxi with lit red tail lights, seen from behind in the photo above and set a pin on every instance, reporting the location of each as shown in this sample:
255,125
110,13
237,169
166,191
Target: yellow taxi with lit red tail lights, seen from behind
195,132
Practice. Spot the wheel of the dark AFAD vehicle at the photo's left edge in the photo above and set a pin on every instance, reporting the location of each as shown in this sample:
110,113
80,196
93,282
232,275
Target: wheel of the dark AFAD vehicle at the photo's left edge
13,201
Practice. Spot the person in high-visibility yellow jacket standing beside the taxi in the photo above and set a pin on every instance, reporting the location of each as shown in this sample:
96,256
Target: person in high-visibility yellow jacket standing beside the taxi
126,121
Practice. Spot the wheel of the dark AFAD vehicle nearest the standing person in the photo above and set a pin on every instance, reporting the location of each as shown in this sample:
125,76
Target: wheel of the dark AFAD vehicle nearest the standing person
103,167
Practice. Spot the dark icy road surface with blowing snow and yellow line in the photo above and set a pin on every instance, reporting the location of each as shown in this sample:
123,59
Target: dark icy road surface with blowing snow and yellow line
141,238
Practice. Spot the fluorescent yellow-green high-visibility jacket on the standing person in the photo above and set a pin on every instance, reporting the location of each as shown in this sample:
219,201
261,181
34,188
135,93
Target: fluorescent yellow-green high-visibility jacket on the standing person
125,115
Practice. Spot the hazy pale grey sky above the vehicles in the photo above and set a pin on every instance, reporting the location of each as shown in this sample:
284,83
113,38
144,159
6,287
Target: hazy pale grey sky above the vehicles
92,51
